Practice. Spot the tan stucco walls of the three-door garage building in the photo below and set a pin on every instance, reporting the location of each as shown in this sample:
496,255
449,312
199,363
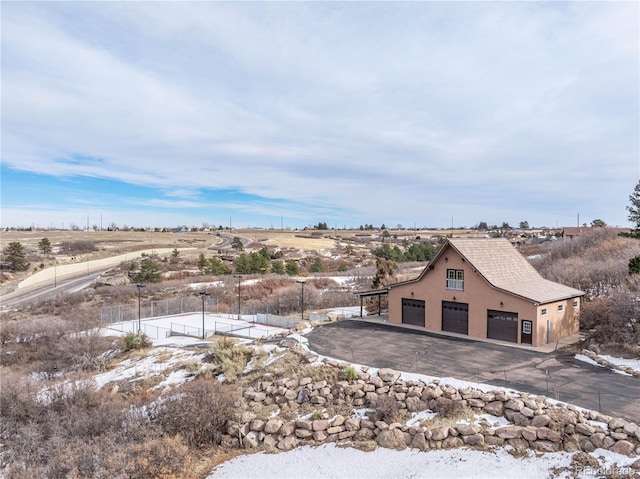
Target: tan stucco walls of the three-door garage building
480,296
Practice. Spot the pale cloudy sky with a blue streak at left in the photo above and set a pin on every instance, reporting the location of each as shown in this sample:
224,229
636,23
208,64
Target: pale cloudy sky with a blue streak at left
290,113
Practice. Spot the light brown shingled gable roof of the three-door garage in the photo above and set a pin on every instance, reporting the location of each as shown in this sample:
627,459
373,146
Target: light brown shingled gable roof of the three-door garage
504,268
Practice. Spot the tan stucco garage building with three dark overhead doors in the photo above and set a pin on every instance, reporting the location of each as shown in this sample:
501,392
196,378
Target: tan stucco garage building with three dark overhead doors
484,288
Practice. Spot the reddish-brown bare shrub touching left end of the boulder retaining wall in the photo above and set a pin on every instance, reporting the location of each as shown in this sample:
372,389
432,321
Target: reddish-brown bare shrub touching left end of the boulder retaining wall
198,412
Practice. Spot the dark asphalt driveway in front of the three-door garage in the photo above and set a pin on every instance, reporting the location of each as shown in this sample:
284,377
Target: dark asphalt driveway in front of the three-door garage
555,375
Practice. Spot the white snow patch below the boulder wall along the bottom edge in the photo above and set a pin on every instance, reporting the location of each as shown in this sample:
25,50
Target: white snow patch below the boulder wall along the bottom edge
333,462
